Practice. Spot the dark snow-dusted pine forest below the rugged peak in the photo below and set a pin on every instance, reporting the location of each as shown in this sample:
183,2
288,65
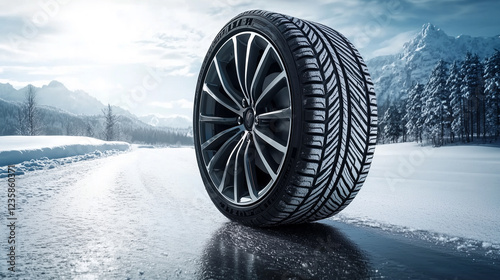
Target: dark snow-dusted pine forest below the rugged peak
459,103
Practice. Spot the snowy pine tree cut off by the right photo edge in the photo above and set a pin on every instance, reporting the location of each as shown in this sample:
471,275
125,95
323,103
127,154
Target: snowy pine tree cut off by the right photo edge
492,95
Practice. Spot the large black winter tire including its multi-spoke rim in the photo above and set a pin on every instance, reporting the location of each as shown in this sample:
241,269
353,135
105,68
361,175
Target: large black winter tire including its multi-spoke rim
285,120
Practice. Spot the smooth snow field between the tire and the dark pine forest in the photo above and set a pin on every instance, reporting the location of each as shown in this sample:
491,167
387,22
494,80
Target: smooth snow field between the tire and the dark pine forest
453,191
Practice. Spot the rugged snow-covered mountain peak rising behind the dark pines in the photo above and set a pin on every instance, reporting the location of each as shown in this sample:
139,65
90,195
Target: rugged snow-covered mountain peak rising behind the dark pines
392,74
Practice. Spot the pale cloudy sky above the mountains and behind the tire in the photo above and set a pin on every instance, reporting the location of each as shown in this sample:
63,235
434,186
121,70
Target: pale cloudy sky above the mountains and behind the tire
145,55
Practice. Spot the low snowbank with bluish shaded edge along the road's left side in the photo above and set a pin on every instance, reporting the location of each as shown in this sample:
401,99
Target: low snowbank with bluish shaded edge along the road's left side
38,152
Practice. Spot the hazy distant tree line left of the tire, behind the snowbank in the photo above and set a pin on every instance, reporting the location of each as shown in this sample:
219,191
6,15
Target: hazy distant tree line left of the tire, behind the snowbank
28,118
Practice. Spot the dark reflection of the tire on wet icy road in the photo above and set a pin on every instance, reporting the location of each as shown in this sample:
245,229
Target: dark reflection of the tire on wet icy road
309,251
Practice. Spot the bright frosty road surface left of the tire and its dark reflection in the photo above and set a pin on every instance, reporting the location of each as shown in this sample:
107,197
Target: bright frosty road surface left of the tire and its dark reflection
120,215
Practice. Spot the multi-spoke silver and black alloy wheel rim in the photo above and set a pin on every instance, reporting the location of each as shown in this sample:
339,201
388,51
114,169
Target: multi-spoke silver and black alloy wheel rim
244,118
